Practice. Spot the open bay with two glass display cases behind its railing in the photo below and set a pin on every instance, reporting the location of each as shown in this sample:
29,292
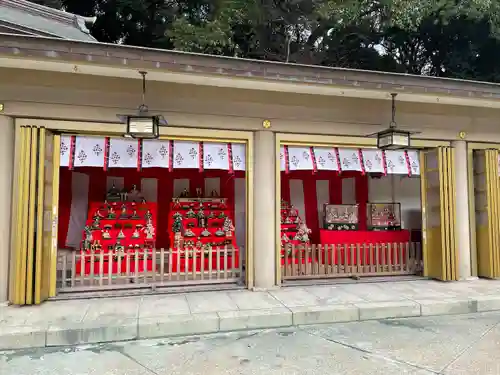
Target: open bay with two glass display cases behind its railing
349,212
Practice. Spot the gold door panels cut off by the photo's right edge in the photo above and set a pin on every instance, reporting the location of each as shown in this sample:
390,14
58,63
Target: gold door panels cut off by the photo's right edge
485,168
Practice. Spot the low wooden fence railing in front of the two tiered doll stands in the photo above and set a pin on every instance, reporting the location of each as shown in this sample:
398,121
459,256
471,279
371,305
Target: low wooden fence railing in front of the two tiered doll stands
94,270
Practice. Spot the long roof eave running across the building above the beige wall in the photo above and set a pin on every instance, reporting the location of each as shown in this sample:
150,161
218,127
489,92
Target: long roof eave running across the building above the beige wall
93,57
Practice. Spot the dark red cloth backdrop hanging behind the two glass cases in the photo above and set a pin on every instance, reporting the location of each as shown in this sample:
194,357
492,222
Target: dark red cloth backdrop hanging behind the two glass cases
335,194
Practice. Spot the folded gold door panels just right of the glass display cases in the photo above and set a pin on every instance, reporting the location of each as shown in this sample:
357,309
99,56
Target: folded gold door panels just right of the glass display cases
438,209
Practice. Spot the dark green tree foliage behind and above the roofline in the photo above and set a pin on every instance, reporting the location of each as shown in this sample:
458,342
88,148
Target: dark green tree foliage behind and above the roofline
450,38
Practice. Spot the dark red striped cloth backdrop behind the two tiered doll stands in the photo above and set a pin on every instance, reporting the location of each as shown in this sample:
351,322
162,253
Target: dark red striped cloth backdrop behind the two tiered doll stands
98,189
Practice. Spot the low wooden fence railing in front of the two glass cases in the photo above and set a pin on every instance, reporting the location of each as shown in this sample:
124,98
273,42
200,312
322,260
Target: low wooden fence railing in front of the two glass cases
349,260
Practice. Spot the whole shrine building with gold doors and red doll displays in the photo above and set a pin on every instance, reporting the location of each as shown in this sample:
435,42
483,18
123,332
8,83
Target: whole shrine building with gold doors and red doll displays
136,169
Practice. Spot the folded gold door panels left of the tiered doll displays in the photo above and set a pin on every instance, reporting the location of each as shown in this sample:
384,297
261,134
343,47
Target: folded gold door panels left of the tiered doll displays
32,253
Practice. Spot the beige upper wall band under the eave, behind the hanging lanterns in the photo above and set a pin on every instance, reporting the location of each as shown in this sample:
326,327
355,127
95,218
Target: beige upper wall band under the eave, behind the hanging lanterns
71,96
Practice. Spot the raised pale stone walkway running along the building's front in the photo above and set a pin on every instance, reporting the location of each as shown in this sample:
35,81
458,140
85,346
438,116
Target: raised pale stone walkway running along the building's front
118,319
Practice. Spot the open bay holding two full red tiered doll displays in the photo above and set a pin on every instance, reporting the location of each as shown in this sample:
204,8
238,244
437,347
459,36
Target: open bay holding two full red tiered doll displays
150,214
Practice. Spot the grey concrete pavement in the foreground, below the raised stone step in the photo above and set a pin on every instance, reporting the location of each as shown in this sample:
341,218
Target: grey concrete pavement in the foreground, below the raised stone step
444,345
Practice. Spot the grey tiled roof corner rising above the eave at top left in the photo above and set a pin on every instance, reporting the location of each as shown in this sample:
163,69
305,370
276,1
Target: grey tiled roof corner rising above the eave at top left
24,17
